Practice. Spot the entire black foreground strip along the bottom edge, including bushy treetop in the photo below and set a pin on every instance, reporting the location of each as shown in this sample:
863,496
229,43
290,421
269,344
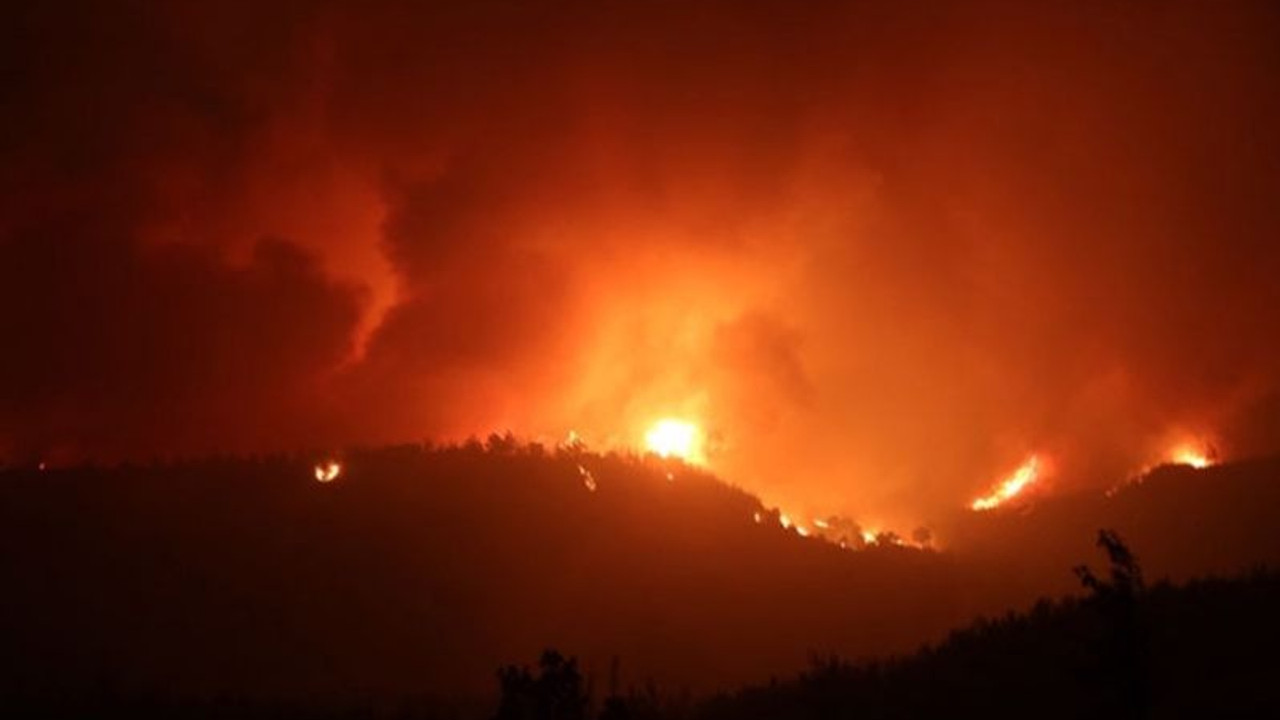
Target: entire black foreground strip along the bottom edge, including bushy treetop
1203,650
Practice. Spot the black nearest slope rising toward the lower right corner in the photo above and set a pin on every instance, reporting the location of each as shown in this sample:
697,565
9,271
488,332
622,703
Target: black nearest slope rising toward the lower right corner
1206,650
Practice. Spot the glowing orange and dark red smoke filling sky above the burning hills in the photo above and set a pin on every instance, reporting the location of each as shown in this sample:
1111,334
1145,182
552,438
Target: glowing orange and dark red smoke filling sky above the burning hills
879,252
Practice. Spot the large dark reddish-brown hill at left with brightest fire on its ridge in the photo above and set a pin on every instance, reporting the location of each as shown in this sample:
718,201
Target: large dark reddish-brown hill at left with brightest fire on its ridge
423,571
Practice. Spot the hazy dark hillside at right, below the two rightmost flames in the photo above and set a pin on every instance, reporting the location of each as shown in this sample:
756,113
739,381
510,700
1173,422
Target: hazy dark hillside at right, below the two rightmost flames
1188,523
